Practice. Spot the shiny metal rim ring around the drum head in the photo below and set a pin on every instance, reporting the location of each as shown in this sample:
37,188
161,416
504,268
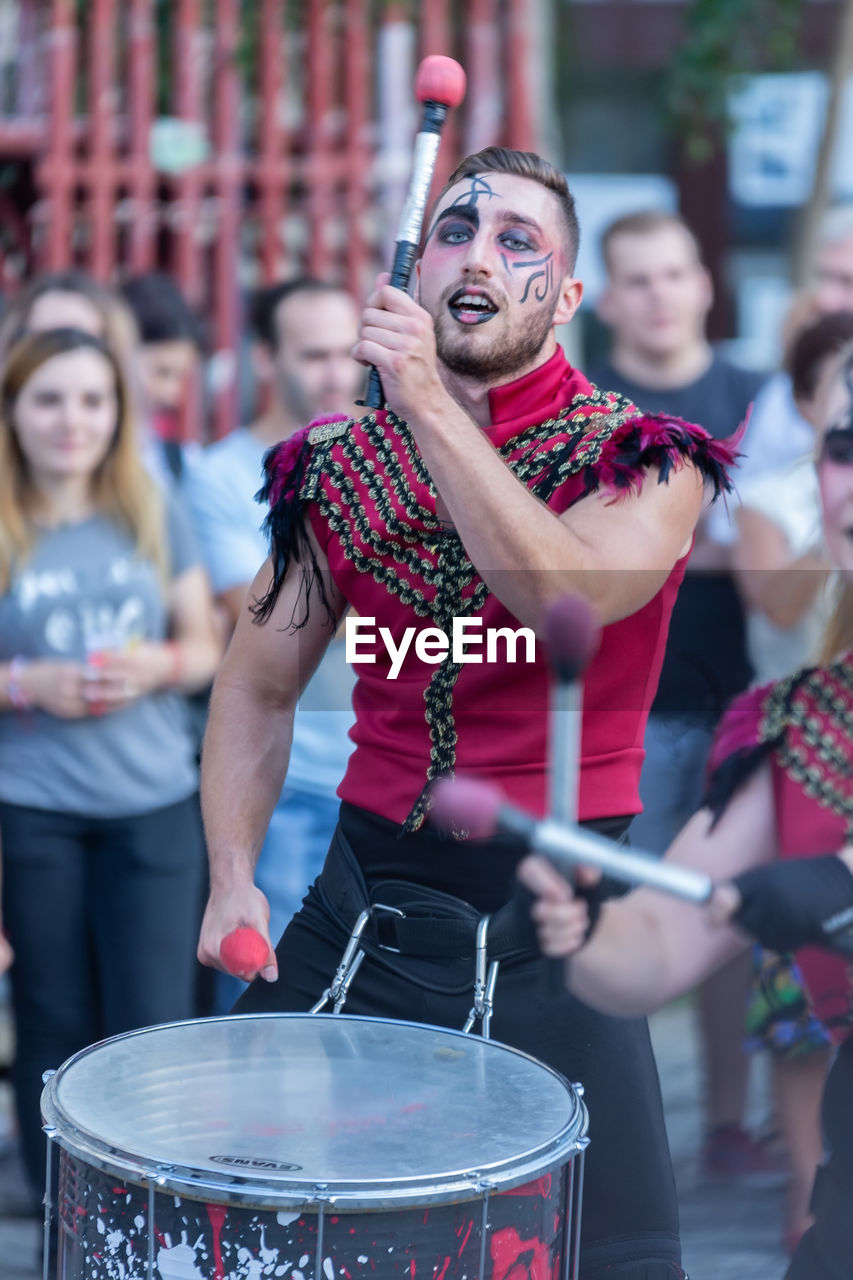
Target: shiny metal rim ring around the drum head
250,1188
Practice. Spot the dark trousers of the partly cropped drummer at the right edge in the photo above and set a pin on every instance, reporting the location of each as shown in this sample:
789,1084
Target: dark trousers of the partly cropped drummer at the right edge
827,1250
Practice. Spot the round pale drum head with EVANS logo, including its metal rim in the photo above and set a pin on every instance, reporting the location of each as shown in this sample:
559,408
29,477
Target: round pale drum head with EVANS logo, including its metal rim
291,1110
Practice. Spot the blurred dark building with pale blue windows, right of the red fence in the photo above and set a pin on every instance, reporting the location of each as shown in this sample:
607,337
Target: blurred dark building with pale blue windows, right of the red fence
745,196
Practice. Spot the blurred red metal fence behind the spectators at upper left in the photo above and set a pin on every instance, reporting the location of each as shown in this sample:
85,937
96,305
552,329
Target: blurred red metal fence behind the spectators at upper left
232,141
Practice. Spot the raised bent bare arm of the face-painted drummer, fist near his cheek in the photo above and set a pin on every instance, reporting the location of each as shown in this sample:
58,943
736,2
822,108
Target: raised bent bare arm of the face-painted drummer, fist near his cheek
617,552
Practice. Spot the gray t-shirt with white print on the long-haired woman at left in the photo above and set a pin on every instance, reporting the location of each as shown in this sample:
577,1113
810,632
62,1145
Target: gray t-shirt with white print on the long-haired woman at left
84,588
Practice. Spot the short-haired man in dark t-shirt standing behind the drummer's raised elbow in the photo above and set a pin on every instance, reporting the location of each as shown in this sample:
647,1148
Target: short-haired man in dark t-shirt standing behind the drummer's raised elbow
656,303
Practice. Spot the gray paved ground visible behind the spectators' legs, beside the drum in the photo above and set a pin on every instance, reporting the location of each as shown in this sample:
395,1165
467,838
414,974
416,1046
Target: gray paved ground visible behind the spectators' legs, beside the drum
729,1235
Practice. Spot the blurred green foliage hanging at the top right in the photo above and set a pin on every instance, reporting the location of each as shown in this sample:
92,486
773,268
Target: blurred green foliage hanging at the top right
724,39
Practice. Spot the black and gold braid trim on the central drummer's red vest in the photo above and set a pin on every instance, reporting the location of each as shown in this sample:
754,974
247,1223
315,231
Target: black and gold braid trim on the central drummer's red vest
542,458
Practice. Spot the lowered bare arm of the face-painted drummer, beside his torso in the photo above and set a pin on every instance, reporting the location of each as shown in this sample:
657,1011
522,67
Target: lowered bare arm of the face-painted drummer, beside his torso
248,746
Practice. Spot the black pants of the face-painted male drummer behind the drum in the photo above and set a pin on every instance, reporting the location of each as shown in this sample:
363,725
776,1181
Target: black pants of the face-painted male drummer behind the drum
631,1214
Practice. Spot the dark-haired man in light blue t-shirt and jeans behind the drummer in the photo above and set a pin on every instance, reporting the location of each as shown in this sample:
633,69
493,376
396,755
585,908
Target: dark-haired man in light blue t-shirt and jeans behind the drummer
304,333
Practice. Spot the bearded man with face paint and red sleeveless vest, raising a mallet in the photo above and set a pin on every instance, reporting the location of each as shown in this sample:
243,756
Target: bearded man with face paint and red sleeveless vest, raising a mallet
495,481
